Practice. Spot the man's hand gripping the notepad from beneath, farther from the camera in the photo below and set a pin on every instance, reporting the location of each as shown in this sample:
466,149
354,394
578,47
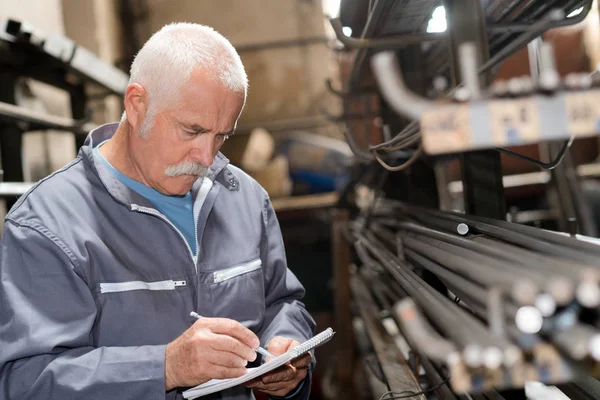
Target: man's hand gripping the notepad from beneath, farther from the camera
284,379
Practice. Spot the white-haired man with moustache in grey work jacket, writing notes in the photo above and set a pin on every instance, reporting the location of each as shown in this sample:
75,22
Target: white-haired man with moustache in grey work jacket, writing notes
102,262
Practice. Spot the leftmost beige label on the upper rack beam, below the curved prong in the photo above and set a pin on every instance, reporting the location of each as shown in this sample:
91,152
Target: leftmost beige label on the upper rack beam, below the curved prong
446,129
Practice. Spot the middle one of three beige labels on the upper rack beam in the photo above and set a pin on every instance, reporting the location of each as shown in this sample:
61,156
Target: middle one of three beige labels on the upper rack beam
514,122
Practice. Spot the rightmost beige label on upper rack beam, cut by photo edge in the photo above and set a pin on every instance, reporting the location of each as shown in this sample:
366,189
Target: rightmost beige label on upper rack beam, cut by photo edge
583,113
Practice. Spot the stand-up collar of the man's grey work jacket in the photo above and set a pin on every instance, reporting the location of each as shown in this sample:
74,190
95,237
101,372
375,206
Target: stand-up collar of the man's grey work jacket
218,171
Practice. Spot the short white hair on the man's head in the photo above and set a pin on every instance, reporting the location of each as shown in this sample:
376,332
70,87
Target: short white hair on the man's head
166,61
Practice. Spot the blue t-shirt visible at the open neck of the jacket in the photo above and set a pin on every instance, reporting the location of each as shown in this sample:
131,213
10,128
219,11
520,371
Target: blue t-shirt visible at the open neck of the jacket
178,209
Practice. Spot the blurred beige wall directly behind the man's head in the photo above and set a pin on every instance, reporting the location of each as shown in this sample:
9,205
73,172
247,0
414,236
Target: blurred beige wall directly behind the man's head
284,82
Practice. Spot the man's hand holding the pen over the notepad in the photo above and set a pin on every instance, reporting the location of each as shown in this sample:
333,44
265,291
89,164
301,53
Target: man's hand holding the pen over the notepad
211,348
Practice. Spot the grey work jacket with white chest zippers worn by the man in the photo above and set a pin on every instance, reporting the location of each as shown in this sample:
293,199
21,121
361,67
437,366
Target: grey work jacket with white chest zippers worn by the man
94,281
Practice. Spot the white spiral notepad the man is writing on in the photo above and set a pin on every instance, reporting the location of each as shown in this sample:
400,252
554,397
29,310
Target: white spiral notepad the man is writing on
216,385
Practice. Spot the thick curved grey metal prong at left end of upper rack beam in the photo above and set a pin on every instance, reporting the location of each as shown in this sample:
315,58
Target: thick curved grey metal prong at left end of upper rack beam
391,83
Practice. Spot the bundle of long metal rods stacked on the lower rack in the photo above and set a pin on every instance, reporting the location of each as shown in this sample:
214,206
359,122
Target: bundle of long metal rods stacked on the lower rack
517,299
